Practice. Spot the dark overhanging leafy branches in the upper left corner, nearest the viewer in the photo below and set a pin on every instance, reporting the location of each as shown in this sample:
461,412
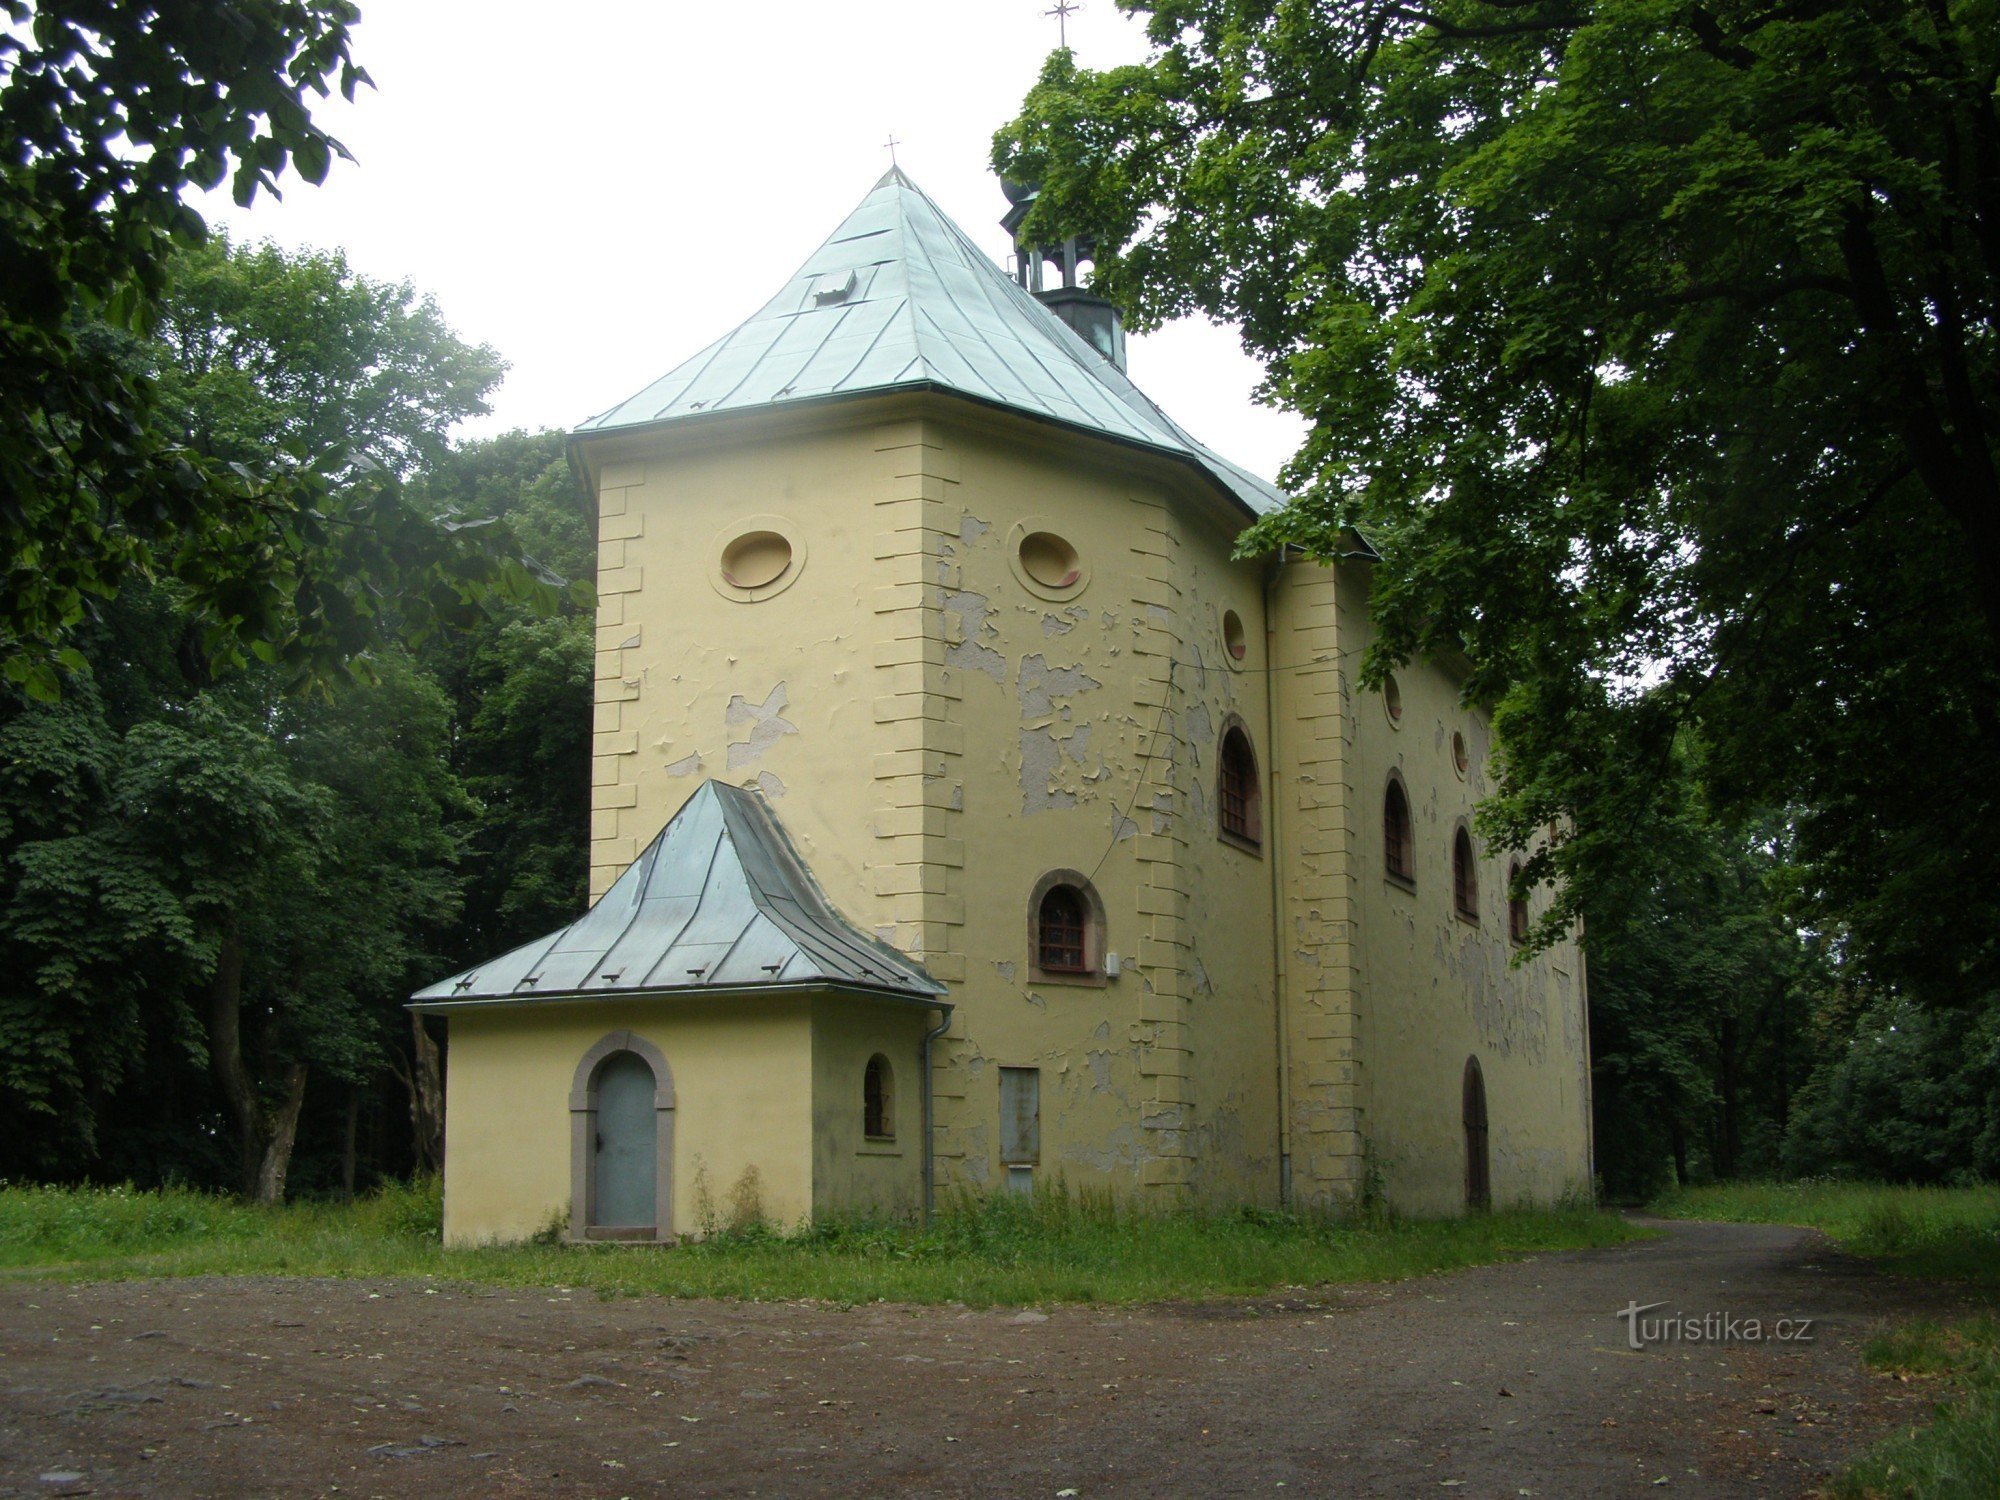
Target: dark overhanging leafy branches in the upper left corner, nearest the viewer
109,113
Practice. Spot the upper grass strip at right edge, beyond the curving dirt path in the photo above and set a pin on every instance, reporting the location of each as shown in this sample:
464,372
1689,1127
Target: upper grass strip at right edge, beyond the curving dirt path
1929,1233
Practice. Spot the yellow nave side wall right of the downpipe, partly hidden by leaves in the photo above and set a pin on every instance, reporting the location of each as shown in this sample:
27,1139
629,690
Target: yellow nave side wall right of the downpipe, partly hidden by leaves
1423,989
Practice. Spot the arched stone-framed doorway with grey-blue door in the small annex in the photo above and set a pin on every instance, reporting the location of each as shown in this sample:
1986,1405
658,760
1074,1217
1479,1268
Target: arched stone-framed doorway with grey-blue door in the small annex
623,1143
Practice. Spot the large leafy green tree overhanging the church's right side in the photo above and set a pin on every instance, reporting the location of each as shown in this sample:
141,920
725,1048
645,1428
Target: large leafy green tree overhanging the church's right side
1657,343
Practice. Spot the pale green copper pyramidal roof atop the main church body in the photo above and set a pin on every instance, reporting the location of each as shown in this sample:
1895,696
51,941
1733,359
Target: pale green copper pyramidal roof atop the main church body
899,299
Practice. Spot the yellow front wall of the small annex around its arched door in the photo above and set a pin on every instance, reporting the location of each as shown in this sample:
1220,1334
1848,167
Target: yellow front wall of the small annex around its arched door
743,1085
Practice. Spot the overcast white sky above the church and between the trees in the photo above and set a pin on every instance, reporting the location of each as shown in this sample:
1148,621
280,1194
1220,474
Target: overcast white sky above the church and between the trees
605,187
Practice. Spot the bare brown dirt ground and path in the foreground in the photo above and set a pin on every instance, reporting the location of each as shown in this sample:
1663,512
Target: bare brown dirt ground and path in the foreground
1507,1381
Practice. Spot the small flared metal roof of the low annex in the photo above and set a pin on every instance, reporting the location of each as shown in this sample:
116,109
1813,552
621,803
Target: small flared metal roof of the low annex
719,901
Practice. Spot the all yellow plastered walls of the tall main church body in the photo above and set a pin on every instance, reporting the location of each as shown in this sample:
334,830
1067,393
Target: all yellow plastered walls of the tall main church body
939,733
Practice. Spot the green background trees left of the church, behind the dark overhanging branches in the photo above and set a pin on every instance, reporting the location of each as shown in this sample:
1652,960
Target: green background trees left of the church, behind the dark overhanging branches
219,891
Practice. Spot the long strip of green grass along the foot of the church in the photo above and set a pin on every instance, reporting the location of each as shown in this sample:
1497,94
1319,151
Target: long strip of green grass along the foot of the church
979,1251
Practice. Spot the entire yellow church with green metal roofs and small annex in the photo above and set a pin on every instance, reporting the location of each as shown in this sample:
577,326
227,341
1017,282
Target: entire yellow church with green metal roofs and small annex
969,817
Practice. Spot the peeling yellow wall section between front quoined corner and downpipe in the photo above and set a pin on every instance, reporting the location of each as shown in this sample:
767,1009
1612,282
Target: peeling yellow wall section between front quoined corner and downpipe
1083,731
